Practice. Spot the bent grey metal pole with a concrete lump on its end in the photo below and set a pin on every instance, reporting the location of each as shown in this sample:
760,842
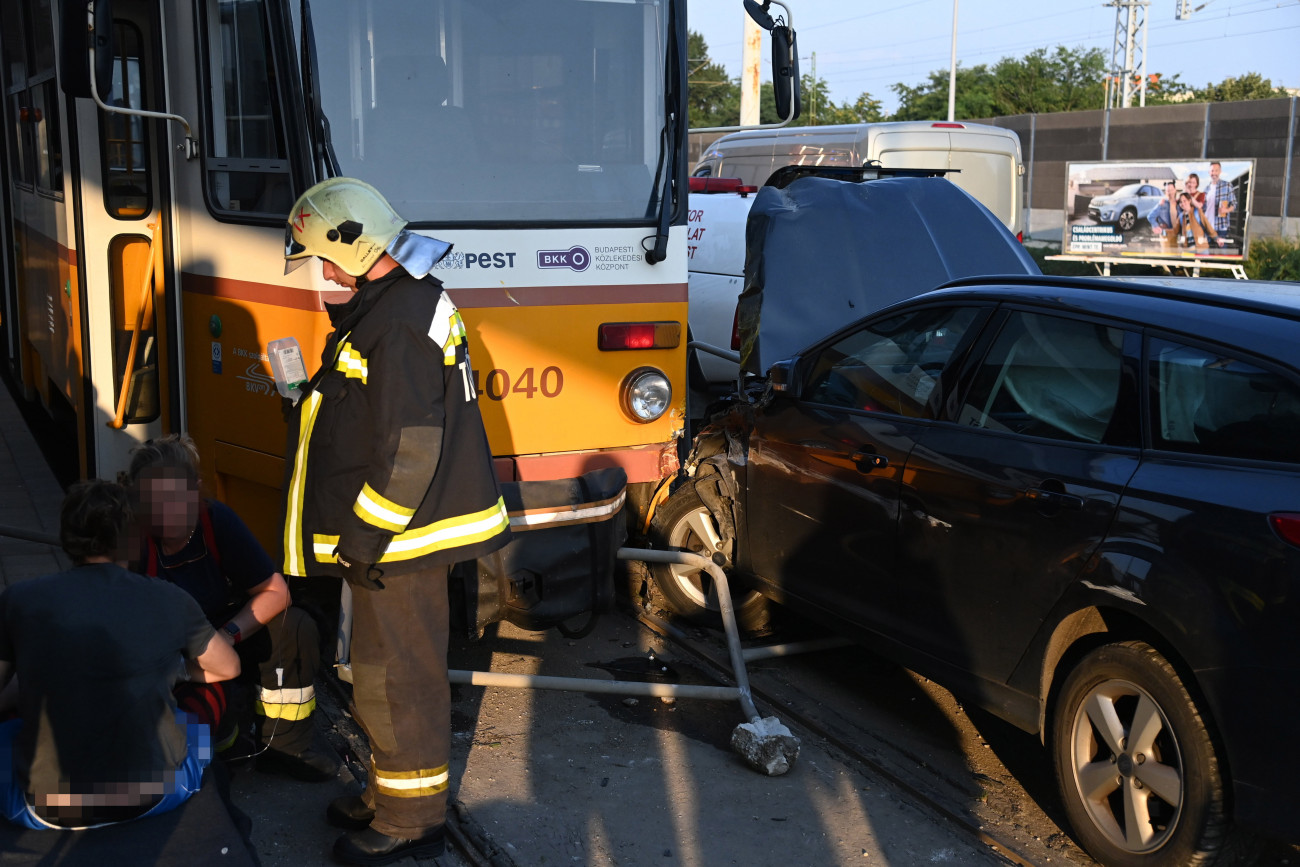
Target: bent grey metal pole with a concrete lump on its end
764,743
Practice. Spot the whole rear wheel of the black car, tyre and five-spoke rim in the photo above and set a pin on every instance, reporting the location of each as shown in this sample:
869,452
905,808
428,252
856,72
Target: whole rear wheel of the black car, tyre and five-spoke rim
1137,766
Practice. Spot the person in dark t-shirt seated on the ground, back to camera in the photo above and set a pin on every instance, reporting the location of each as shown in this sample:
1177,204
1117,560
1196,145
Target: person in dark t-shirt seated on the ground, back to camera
97,652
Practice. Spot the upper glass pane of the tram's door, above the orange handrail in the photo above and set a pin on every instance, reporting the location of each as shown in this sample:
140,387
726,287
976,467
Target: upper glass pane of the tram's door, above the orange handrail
128,188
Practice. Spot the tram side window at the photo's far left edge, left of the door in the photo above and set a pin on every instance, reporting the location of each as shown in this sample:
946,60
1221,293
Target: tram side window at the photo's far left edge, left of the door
32,93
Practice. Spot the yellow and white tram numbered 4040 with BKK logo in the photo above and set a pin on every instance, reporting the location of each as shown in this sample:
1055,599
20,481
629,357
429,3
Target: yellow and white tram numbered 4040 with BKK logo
151,154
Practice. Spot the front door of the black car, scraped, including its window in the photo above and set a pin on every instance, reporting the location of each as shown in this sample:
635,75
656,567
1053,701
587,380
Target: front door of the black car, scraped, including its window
826,462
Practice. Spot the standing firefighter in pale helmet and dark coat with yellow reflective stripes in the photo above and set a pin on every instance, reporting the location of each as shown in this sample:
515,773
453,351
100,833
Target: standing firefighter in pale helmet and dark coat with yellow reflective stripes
391,483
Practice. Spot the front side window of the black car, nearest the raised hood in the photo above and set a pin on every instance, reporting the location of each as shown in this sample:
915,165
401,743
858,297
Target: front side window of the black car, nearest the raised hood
892,365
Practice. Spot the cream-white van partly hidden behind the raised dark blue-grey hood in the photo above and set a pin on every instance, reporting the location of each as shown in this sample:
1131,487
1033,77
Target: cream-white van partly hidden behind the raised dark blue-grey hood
989,158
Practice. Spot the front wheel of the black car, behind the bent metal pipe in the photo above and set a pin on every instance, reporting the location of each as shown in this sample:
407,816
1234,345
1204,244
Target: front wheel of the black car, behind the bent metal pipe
686,524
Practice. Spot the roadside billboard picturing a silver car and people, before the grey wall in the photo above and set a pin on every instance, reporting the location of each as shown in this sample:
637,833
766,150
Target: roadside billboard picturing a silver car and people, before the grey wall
1180,209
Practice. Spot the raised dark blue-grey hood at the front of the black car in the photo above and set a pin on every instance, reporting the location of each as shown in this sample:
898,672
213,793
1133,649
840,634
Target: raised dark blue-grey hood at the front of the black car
821,254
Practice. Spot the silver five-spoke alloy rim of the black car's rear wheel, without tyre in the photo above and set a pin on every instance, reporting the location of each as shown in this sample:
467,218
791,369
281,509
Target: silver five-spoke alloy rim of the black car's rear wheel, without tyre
1128,768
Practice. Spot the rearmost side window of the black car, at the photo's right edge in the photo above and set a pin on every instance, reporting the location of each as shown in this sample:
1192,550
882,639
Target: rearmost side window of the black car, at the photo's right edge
1210,402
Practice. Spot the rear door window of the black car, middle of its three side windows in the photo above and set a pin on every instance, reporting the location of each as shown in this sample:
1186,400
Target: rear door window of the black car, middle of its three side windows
1047,376
